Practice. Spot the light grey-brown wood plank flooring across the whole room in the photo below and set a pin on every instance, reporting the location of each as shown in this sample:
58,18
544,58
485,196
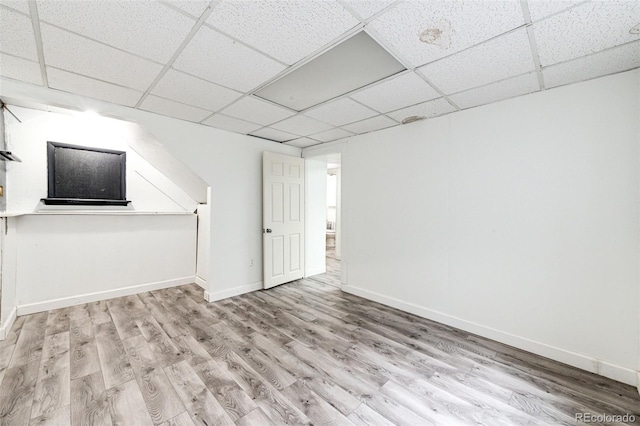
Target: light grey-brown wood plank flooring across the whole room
301,353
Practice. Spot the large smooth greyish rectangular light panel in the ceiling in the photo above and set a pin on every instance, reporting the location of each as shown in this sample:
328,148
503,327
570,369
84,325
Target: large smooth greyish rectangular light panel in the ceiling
354,63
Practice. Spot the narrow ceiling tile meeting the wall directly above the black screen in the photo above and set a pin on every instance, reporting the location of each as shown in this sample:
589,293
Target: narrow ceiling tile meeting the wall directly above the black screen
91,88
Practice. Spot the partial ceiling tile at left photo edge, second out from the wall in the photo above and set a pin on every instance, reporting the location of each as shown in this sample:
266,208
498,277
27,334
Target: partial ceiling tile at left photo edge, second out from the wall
16,35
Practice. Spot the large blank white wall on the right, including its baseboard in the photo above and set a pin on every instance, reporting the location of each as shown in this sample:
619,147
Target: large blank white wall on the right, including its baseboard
517,221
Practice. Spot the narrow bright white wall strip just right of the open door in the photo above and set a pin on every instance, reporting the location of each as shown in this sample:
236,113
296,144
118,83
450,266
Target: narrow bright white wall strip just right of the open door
315,216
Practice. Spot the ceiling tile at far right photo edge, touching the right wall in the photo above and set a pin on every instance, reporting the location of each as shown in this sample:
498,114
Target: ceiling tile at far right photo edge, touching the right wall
619,59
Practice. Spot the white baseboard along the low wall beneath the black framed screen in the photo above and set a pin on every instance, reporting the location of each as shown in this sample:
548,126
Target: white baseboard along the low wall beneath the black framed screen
65,302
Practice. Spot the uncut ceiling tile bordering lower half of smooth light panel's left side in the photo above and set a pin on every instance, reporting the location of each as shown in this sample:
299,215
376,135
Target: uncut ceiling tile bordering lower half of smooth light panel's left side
217,58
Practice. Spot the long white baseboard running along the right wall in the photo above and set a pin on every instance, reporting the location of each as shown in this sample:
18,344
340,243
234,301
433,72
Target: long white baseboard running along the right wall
593,365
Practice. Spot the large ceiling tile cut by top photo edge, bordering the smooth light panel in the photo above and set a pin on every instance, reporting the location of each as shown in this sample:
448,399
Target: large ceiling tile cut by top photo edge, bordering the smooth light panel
286,30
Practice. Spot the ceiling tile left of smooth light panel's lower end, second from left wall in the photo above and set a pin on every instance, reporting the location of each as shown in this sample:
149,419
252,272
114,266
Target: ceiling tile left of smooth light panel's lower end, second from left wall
194,91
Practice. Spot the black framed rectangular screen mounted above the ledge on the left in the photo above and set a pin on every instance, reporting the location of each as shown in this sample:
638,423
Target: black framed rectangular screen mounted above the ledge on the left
85,176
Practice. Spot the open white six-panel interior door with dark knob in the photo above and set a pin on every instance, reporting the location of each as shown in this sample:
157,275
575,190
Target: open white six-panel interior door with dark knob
283,218
